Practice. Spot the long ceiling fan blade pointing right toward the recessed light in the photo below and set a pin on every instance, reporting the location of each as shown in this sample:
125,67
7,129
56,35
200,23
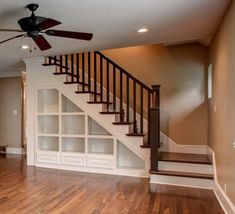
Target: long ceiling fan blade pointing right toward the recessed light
70,34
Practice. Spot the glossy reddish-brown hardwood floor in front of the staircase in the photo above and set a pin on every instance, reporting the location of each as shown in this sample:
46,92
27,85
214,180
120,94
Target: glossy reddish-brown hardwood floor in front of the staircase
30,190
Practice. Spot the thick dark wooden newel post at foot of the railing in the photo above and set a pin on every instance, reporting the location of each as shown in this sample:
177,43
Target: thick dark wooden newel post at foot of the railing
154,127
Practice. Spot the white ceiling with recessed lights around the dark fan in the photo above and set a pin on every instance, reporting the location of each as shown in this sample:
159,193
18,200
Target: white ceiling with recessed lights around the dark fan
113,23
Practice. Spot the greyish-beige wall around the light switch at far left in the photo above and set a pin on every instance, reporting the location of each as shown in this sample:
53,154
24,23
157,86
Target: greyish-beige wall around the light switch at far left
10,99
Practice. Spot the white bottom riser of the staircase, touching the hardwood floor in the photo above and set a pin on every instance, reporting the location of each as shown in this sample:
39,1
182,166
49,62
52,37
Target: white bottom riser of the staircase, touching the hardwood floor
182,181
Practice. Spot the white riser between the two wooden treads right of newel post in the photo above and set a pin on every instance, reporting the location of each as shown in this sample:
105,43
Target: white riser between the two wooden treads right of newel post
185,167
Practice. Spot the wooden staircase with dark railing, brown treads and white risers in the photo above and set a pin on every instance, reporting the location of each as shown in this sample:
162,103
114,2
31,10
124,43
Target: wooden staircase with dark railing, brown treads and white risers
135,107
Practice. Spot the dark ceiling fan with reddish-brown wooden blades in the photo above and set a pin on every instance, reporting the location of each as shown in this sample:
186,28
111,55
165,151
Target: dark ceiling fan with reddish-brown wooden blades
34,26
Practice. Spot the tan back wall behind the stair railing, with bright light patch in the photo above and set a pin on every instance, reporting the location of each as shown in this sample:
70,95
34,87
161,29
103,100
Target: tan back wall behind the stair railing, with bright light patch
181,71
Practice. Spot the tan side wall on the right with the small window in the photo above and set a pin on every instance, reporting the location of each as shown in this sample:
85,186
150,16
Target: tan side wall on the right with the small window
222,122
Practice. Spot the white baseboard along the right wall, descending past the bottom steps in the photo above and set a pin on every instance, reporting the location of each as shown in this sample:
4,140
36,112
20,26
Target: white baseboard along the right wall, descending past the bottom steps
221,196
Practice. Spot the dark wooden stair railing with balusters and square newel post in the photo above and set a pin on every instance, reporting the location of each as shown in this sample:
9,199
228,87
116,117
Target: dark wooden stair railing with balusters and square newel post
120,91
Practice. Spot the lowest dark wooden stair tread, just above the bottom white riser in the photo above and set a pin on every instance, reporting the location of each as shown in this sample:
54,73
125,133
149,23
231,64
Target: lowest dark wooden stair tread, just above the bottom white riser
182,174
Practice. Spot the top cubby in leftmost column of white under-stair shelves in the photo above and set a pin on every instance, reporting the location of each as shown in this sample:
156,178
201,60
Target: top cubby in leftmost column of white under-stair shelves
48,100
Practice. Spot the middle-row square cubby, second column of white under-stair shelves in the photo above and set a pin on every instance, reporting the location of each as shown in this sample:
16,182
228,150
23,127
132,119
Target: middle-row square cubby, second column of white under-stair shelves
73,124
